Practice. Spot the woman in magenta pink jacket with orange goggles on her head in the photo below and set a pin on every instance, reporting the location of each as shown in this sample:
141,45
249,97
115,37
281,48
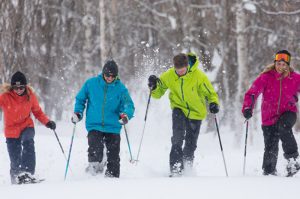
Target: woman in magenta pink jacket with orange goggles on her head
279,85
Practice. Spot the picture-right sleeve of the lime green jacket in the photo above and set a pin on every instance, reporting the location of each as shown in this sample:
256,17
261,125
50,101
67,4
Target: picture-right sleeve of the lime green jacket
208,90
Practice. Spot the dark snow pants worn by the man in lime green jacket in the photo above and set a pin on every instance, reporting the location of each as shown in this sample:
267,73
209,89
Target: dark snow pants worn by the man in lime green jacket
184,130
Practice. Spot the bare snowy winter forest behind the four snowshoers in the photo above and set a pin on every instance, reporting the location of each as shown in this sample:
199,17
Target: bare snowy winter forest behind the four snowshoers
59,44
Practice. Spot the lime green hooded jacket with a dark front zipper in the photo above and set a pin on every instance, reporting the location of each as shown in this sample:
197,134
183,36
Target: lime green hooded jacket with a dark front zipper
188,92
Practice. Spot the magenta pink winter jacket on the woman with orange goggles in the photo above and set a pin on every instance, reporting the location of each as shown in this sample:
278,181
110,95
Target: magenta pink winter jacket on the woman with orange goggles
279,95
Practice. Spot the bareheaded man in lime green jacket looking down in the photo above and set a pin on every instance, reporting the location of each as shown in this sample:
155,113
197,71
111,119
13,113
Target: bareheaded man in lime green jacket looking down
189,90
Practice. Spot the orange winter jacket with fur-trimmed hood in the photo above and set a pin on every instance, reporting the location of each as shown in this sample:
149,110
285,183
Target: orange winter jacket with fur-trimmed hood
17,110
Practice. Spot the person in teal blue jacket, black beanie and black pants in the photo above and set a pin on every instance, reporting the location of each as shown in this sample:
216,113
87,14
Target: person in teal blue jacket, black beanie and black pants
108,107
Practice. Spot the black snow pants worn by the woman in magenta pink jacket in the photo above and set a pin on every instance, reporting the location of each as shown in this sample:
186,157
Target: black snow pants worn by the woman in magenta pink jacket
281,130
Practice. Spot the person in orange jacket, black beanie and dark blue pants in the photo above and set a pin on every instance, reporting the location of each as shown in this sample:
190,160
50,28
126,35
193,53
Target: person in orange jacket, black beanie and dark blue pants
17,102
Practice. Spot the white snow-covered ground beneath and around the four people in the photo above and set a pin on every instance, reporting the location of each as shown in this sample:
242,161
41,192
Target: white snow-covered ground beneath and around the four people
148,178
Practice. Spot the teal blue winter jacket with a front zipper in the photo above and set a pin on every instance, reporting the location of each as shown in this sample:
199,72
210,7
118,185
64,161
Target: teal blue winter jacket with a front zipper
104,103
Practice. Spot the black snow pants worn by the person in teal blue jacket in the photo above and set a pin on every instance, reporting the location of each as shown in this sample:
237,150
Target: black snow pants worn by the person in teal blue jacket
96,141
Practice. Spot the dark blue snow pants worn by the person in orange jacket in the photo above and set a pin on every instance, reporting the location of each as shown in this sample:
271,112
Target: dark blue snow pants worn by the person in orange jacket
21,153
